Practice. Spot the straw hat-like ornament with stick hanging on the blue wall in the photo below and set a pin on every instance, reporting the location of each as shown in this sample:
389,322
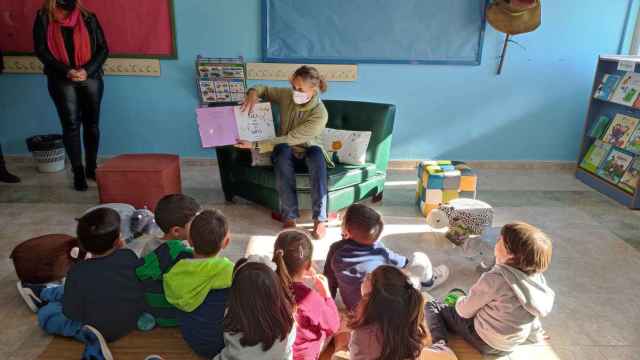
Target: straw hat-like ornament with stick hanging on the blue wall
513,17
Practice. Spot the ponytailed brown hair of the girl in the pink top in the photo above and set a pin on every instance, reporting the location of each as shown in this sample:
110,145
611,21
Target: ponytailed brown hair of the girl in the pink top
292,254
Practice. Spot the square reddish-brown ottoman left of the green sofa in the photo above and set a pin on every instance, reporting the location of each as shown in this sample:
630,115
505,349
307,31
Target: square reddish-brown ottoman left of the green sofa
139,179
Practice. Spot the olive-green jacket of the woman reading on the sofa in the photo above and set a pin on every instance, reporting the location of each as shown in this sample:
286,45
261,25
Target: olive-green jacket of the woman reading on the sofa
301,126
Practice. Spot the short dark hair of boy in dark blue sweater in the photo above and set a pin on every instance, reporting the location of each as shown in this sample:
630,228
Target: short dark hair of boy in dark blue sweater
363,223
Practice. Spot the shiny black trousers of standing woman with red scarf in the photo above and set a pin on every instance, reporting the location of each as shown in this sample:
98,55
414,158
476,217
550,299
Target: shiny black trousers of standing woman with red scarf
78,105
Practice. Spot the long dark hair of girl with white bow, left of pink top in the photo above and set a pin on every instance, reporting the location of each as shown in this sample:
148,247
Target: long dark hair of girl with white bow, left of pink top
258,308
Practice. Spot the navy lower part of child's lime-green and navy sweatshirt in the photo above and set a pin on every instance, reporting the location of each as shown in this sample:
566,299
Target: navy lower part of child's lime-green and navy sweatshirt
202,328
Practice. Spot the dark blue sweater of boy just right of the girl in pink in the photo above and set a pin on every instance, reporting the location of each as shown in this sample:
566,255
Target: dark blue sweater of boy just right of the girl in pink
348,262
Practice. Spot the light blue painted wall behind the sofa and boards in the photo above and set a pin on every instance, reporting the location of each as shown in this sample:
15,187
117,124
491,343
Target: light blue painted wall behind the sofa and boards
534,111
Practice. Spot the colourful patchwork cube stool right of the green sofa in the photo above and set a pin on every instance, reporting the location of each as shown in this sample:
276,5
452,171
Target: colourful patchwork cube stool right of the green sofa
441,181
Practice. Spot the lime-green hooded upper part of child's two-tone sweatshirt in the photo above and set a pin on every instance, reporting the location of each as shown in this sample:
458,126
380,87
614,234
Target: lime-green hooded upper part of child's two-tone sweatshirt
190,280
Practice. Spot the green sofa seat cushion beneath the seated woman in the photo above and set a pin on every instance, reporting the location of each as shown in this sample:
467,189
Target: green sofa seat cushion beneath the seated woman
340,177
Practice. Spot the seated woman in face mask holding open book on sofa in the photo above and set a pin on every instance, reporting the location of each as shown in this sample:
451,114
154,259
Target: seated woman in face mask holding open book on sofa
298,145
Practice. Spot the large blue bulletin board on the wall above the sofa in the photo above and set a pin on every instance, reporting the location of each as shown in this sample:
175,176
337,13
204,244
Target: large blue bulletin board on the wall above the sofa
374,31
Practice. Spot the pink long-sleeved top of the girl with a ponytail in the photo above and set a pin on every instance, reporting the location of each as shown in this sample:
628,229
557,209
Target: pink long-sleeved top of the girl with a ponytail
317,318
